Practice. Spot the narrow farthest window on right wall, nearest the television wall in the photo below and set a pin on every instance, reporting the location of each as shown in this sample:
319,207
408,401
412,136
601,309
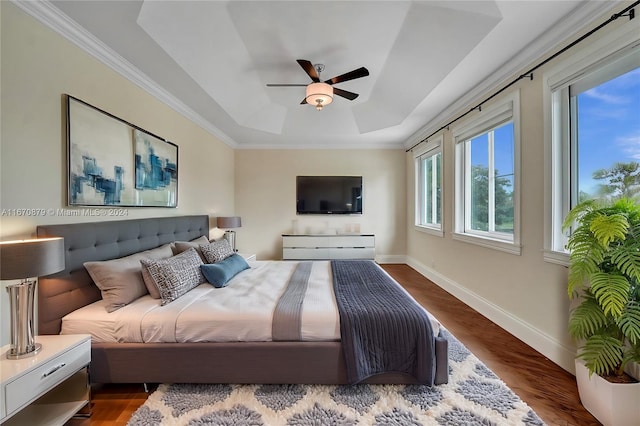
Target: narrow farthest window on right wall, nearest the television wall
428,174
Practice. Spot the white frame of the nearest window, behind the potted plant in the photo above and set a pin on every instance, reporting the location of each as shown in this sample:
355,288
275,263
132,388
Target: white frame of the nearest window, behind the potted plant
605,56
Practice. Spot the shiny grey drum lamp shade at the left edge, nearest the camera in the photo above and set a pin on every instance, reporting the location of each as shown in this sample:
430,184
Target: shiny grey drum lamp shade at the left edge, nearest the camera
31,258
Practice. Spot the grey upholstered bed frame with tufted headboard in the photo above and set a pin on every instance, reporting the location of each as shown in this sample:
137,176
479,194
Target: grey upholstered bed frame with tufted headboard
234,362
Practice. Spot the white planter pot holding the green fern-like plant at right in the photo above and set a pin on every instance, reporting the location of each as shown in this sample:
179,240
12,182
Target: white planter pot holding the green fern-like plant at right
613,404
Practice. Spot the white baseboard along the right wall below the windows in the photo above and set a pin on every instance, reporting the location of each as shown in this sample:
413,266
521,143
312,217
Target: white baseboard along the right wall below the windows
548,346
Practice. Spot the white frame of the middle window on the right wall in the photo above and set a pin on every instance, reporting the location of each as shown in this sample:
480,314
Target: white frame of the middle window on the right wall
503,111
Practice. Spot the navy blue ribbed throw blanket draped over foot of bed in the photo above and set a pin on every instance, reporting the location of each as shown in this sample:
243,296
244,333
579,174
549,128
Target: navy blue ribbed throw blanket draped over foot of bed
383,330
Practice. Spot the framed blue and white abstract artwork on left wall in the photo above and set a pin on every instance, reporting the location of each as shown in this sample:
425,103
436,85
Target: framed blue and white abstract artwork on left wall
111,162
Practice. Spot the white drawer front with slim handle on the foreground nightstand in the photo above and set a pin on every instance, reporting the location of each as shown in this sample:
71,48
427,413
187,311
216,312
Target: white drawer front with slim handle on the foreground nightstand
33,384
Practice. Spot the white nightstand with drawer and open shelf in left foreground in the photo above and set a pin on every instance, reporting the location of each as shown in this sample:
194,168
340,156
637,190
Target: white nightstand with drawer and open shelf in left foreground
49,387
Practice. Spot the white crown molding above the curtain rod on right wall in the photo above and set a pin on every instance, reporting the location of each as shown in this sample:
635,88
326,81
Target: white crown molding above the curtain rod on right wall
566,28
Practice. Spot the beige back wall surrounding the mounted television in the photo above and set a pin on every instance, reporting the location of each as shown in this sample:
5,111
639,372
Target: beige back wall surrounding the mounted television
266,200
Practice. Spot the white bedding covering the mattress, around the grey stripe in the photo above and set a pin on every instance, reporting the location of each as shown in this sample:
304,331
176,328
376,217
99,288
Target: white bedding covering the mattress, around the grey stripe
241,311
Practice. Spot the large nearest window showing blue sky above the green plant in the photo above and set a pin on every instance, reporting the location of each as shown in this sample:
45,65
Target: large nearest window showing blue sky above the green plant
593,102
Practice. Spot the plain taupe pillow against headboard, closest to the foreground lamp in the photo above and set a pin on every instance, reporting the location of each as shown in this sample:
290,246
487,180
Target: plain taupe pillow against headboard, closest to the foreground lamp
120,280
